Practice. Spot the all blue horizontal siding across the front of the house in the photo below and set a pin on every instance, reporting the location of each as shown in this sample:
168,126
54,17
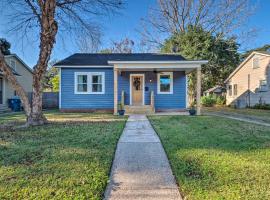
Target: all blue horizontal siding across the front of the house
177,100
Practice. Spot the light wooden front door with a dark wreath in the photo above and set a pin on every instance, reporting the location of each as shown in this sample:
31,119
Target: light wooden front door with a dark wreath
137,90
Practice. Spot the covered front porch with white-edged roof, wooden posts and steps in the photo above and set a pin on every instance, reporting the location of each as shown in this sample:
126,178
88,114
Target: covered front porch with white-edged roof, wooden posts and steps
152,87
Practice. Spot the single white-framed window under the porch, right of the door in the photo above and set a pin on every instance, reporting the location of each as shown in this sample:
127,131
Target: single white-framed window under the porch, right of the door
165,83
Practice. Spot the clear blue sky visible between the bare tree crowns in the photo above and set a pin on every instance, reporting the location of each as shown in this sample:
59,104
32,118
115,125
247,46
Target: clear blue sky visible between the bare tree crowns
127,24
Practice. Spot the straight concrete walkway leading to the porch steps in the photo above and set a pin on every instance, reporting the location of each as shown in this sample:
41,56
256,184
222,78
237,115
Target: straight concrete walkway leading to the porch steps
141,169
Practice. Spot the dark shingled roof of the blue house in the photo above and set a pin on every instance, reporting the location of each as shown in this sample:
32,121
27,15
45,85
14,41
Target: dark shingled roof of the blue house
103,58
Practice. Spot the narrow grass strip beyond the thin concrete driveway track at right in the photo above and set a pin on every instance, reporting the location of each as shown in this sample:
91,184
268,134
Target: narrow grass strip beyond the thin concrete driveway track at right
257,114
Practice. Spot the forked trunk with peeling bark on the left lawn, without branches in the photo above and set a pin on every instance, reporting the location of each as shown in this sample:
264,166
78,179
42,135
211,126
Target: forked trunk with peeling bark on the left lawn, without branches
34,115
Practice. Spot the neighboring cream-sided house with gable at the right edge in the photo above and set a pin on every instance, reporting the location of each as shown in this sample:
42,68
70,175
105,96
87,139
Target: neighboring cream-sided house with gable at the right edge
249,83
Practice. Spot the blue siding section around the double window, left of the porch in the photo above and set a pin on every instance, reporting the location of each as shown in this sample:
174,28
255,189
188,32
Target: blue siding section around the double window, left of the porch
70,100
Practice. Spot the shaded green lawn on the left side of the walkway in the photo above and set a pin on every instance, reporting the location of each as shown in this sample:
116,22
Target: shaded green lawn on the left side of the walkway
67,159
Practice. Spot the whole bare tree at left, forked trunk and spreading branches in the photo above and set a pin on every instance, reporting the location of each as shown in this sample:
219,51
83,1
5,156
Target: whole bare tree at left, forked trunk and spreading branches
47,18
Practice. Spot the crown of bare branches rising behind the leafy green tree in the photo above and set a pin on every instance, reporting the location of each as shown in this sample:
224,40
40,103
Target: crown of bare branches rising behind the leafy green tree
169,17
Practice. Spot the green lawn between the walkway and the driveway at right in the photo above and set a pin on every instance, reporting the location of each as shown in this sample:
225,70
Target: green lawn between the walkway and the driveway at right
217,158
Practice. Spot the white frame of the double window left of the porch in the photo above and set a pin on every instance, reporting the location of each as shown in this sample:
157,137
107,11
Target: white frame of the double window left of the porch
89,82
